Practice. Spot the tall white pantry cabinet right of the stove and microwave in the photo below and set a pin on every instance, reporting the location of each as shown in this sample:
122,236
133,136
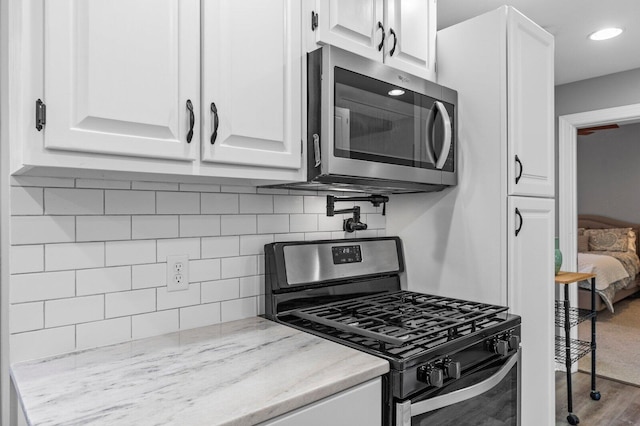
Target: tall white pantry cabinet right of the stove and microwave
491,237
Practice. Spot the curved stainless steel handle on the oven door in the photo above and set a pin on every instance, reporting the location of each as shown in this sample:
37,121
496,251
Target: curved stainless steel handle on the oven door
406,410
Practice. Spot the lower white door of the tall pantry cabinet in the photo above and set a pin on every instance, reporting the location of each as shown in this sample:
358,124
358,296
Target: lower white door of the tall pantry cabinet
531,295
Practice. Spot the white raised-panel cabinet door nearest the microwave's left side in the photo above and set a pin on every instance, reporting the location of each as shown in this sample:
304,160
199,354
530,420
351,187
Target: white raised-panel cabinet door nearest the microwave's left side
252,71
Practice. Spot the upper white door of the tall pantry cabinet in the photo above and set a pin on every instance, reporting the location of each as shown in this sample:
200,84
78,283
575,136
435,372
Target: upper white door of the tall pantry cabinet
530,108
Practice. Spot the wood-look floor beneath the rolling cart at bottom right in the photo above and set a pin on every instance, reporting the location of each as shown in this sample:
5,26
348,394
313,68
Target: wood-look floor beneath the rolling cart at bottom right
619,405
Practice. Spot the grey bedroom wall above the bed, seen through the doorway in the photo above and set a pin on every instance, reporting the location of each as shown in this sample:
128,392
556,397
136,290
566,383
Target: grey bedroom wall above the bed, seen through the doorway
609,172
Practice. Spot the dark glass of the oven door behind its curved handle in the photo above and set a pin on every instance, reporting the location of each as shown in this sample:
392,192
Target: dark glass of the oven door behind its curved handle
496,407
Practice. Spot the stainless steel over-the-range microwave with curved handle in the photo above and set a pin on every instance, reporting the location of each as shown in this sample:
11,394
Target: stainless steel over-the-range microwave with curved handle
375,129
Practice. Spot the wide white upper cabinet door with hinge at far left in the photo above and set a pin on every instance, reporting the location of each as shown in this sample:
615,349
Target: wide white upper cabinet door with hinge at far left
119,74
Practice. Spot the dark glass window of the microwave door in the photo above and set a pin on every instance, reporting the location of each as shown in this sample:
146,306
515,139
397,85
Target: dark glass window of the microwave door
373,125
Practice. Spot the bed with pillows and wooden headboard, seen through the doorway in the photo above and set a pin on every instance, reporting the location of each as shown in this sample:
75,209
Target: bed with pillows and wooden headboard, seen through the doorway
603,250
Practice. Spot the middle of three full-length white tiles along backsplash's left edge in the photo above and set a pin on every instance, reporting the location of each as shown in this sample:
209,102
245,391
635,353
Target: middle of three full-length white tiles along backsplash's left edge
42,286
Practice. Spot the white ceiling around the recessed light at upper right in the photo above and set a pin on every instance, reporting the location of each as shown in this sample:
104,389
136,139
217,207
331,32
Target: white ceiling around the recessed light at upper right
570,21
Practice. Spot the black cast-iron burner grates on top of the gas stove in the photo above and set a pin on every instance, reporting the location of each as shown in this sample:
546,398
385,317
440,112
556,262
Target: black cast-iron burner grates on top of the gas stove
400,323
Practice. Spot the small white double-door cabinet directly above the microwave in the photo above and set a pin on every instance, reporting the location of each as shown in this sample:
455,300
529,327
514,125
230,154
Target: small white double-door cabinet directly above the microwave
401,33
